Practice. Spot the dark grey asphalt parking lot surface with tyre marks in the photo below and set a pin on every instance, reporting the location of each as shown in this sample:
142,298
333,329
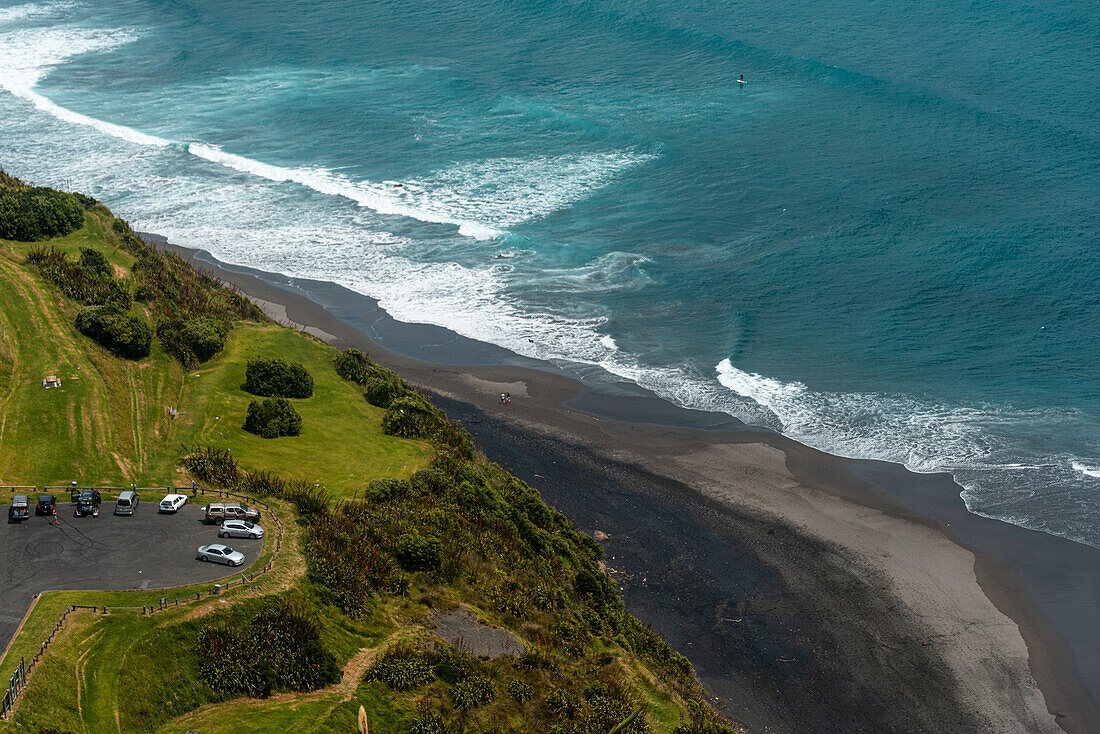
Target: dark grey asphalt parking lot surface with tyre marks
145,551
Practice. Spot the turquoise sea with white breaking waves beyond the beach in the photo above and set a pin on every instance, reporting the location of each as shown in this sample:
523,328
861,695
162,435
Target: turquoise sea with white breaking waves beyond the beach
887,244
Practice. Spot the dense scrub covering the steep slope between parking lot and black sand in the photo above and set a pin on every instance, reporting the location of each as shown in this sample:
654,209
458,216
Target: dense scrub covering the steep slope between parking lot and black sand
467,529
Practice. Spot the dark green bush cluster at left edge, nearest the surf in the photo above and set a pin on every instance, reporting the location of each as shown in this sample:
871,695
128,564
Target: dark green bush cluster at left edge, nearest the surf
29,214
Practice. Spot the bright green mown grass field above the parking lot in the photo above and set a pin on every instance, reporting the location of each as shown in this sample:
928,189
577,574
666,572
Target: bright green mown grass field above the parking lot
109,424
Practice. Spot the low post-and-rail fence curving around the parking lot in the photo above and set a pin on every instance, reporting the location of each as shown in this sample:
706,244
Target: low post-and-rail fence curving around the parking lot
19,678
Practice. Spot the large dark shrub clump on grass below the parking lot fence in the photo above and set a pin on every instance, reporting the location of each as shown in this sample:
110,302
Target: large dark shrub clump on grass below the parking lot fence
278,649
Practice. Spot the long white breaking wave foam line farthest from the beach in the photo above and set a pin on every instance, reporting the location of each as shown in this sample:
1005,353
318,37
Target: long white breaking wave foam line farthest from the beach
504,192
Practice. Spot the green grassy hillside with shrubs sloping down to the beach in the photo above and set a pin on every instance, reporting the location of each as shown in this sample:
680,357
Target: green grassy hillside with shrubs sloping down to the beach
398,533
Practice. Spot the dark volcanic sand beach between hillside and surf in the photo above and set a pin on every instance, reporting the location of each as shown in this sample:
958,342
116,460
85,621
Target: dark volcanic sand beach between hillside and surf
813,594
